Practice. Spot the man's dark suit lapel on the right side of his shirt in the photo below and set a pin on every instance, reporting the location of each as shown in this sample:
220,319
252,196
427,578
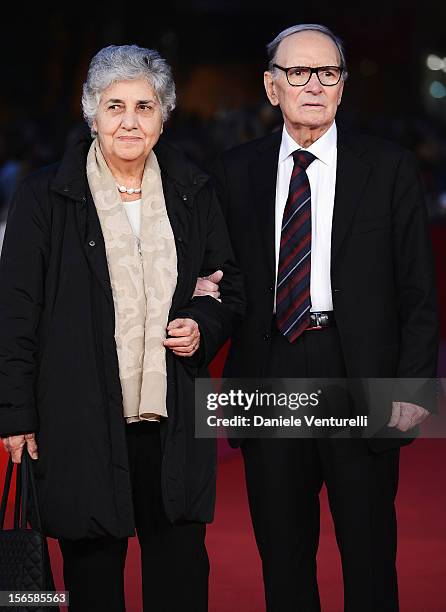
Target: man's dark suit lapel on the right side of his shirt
351,178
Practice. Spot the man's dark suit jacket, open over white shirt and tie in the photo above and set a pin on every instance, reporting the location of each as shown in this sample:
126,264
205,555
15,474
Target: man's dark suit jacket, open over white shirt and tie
382,272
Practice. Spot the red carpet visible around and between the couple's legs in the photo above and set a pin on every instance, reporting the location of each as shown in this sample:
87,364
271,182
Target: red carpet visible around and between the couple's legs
235,575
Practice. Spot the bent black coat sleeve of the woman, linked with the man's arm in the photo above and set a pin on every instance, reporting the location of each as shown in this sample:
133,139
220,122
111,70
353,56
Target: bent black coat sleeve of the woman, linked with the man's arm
216,320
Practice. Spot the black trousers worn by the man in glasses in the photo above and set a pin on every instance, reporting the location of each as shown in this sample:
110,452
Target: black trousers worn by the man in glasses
284,478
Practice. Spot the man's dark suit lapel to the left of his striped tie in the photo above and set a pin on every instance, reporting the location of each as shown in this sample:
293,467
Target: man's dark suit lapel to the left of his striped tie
263,176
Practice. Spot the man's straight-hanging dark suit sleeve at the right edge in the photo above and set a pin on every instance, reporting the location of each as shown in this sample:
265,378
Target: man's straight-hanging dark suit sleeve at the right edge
415,284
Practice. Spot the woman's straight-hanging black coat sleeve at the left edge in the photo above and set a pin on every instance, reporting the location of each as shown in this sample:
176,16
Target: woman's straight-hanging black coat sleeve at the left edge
22,272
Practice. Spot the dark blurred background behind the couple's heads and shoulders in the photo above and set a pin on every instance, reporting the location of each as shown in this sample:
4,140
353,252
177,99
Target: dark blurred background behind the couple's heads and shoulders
217,51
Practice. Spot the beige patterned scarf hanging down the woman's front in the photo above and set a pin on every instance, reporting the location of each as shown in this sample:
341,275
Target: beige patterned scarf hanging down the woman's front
142,283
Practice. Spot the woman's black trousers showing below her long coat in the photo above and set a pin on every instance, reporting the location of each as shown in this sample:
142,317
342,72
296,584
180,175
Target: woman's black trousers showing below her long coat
175,565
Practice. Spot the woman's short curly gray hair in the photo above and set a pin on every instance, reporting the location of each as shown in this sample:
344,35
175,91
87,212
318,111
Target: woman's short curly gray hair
126,63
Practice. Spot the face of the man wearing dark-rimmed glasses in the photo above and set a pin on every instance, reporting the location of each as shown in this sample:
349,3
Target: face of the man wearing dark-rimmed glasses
313,105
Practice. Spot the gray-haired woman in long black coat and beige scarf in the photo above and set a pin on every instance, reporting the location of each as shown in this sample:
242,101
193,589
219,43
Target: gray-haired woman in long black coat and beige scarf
100,341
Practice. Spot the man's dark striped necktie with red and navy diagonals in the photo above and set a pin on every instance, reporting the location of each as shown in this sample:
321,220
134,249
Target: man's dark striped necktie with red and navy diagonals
293,301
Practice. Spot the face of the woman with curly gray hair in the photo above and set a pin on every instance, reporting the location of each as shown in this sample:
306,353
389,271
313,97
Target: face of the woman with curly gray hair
129,121
